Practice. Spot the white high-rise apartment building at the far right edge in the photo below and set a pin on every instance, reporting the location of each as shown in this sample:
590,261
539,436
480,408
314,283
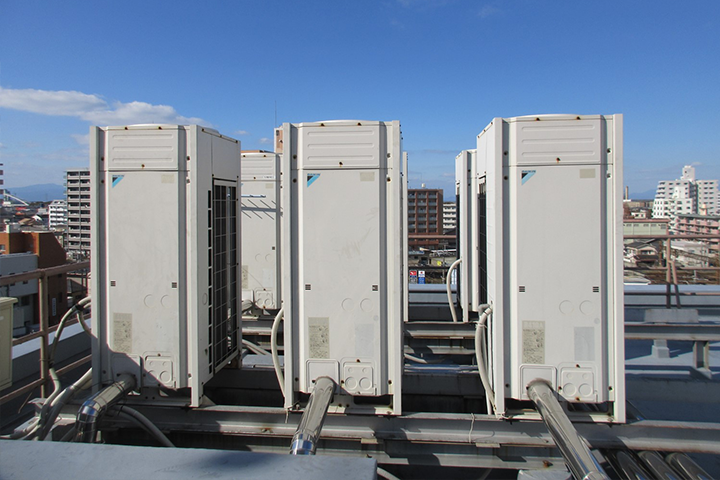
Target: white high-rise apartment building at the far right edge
685,196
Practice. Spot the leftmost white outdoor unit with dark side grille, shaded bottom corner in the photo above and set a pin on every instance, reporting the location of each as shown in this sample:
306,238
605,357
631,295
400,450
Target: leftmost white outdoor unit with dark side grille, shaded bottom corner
165,253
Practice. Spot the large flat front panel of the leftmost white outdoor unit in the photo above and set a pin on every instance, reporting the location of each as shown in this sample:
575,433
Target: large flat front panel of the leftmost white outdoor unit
143,274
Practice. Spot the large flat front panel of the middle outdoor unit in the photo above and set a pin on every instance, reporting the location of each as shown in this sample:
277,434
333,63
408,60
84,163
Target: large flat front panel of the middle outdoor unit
343,324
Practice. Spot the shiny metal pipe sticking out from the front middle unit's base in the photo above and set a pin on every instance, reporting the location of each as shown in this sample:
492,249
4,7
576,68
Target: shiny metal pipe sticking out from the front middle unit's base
308,432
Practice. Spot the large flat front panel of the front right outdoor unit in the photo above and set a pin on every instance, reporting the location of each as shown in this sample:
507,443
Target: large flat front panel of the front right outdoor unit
559,323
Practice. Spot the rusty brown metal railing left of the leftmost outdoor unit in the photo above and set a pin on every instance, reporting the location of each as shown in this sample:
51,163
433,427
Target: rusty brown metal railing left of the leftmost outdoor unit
42,275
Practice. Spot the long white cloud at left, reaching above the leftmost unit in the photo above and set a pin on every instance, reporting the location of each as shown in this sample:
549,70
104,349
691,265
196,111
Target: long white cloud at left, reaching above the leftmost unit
91,108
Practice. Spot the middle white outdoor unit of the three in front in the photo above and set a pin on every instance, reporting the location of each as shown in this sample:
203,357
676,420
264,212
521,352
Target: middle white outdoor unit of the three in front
344,262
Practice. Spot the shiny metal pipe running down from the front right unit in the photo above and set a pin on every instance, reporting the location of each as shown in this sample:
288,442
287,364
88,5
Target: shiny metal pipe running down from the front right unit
581,462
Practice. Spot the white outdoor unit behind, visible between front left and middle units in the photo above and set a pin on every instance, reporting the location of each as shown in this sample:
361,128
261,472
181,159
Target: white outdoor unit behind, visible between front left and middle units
261,229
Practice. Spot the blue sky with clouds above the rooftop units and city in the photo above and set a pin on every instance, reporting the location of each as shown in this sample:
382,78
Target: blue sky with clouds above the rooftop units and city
444,68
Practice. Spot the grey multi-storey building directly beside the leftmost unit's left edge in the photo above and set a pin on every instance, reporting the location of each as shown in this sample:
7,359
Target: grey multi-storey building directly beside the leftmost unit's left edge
77,191
